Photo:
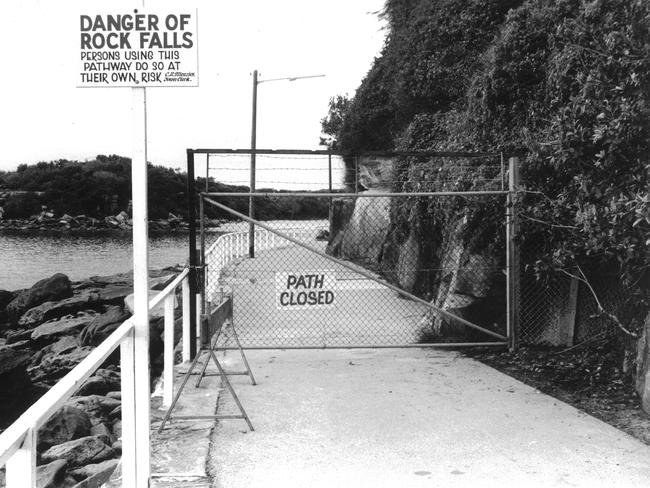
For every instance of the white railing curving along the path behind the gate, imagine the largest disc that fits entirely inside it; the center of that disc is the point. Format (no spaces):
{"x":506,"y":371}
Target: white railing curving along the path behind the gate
{"x":231,"y":246}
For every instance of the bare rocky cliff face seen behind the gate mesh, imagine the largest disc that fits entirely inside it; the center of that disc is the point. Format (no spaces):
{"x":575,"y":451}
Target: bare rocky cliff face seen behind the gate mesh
{"x":444,"y":265}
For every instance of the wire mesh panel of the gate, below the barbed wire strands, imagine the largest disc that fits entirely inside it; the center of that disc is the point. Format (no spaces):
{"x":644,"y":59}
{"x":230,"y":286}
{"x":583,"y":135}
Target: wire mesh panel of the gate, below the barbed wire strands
{"x":362,"y":280}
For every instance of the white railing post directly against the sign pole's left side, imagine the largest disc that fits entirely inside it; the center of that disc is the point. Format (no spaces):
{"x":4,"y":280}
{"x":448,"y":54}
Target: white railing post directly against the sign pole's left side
{"x":127,"y":370}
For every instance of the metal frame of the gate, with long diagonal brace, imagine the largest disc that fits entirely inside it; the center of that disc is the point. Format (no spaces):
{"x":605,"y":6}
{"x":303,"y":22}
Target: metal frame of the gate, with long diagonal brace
{"x":512,"y":258}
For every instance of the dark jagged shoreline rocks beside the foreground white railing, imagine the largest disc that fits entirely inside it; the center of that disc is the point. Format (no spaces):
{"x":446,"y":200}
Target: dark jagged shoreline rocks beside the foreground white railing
{"x":45,"y":331}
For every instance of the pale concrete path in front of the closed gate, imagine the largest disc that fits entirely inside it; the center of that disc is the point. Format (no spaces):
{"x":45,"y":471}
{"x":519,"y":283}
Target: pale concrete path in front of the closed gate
{"x":410,"y":418}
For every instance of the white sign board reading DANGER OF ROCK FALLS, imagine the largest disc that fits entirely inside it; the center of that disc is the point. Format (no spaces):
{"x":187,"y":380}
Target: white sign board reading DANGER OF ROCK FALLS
{"x":138,"y":49}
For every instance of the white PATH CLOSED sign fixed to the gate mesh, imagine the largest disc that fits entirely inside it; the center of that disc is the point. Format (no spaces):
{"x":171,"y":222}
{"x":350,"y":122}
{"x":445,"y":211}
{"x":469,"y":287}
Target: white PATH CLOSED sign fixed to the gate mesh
{"x":305,"y":290}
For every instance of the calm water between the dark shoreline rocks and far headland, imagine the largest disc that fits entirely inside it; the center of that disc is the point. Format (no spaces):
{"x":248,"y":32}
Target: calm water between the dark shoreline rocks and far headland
{"x":25,"y":259}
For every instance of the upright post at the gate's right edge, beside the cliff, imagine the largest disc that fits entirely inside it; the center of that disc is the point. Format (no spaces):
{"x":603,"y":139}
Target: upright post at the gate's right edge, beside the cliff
{"x":512,"y":255}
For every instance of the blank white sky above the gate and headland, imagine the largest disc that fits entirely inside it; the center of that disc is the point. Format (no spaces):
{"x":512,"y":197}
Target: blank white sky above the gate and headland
{"x":45,"y":117}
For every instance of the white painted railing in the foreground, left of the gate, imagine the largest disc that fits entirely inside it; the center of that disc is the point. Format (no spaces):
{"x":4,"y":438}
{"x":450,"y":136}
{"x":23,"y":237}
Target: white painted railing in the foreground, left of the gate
{"x":18,"y":442}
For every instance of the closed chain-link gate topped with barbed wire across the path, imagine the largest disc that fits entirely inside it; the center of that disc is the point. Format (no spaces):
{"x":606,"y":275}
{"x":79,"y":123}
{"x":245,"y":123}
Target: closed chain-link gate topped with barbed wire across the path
{"x":341,"y":269}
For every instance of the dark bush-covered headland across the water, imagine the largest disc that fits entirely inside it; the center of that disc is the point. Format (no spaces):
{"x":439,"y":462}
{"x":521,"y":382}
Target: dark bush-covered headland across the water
{"x":102,"y":187}
